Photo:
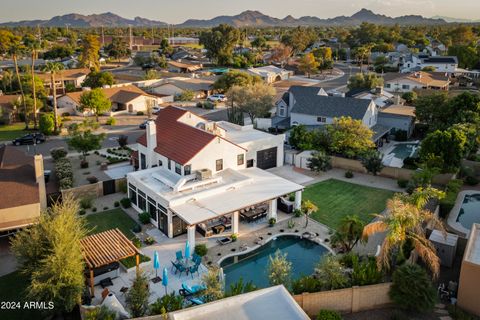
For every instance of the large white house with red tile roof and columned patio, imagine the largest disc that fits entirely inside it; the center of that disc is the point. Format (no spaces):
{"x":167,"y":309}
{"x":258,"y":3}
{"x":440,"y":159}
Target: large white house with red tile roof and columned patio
{"x":197,"y":175}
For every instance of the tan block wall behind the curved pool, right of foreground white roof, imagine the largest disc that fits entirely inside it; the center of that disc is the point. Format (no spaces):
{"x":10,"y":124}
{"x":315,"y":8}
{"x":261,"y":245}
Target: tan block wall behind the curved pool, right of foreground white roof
{"x":348,"y":300}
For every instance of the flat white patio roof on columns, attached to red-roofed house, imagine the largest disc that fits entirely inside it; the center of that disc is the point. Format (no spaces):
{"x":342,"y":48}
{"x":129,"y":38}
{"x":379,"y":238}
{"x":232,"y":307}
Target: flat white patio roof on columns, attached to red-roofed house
{"x":260,"y":186}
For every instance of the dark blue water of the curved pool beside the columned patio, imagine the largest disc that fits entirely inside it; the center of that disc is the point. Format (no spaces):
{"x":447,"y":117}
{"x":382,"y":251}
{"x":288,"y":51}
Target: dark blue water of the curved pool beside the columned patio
{"x":252,"y":266}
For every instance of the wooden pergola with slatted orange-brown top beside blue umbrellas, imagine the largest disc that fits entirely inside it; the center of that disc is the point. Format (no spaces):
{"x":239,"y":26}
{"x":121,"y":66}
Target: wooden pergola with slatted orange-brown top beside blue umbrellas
{"x":107,"y":247}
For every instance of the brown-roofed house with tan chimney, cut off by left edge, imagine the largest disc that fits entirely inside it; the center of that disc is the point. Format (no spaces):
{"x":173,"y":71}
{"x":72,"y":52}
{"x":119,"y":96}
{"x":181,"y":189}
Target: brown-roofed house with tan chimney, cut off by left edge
{"x":22,"y":186}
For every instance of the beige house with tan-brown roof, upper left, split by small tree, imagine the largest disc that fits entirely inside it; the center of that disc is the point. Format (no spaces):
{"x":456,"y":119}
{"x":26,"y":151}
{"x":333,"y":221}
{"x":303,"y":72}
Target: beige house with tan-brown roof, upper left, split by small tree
{"x":126,"y":99}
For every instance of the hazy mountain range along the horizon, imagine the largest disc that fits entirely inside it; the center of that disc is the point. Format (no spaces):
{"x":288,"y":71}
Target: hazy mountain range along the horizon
{"x":247,"y":18}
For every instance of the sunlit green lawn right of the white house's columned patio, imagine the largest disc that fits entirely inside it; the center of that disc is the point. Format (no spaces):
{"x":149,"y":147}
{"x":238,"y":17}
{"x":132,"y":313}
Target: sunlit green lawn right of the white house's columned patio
{"x":336,"y":199}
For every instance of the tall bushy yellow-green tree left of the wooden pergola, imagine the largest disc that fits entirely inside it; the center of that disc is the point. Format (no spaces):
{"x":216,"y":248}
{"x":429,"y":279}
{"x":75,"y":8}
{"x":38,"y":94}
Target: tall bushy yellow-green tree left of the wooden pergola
{"x":49,"y":253}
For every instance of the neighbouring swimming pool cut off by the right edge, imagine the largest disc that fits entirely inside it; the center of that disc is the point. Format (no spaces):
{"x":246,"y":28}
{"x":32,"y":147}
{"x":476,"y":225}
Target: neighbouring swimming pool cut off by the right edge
{"x":465,"y":212}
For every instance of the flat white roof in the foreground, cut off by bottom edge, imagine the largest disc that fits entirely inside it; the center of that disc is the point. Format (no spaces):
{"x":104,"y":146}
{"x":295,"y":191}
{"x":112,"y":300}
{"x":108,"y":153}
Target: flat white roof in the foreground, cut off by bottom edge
{"x":270,"y":303}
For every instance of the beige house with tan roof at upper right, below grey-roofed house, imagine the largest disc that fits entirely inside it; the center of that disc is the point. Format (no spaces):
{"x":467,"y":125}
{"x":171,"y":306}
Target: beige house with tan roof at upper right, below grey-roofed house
{"x":396,"y":82}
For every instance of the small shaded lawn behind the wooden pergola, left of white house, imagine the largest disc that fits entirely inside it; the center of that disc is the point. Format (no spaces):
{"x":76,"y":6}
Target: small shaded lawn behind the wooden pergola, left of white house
{"x":111,"y":219}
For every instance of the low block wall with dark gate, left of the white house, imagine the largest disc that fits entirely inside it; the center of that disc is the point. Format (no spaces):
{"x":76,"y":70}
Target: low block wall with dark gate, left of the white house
{"x":96,"y":190}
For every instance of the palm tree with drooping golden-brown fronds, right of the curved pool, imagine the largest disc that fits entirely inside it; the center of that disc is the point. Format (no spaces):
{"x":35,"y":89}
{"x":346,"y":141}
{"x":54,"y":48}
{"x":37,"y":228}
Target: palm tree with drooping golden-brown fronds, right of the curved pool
{"x":404,"y":223}
